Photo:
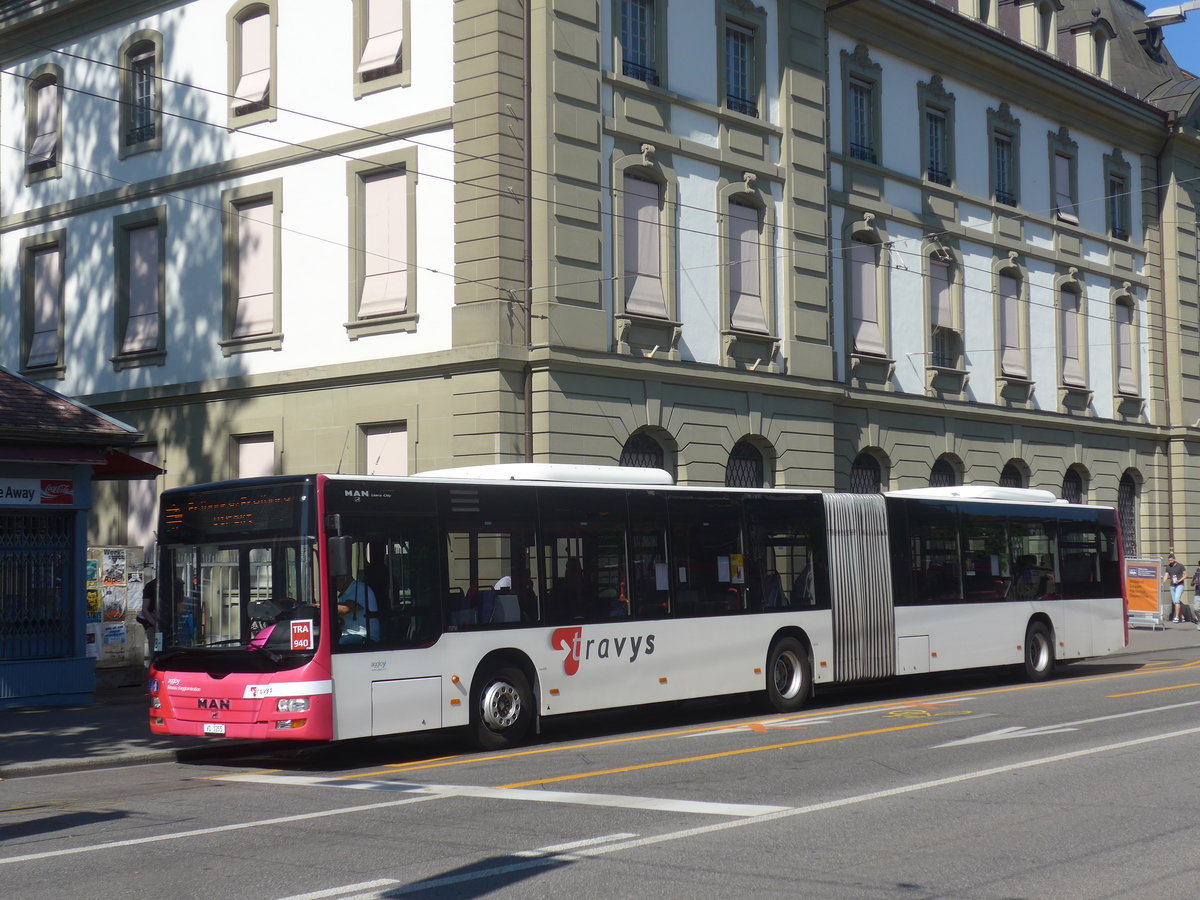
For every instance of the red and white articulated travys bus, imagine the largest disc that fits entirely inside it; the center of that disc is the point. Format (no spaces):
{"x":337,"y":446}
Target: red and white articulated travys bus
{"x":327,"y":608}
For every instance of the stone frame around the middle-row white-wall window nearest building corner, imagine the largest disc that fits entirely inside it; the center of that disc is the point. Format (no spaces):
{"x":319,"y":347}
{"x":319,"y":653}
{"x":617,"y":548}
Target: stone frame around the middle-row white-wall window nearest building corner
{"x":357,"y":173}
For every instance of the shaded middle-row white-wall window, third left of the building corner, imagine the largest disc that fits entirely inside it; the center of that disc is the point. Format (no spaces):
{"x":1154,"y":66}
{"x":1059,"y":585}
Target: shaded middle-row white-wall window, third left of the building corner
{"x":141,"y":280}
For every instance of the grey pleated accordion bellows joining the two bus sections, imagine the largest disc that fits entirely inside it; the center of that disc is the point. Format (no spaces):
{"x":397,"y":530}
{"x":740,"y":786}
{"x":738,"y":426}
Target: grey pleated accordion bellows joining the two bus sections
{"x":861,"y":587}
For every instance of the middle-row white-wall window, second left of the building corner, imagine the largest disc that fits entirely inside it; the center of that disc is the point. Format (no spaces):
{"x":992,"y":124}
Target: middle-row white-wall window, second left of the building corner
{"x":253,"y":262}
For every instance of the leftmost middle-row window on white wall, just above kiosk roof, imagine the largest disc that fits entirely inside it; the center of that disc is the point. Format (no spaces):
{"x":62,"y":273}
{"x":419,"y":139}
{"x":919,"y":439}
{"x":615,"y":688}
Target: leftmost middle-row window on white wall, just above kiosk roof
{"x":43,"y":302}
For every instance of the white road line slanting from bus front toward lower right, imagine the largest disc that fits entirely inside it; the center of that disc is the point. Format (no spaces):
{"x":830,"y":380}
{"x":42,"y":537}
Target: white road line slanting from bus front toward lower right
{"x":515,"y":794}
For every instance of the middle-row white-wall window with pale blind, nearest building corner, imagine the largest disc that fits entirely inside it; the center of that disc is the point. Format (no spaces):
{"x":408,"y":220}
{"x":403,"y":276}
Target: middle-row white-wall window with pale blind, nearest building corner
{"x":385,"y":249}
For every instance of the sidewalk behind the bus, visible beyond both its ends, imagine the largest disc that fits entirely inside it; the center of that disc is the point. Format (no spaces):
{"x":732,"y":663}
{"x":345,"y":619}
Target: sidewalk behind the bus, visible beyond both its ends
{"x":115,"y":730}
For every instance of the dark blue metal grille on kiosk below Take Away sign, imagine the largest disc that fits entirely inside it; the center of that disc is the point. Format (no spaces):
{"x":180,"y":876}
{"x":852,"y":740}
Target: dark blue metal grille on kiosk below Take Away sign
{"x":37,"y":619}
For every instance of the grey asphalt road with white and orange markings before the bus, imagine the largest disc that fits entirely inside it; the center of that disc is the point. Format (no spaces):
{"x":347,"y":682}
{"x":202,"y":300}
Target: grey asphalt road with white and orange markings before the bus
{"x":977,"y":787}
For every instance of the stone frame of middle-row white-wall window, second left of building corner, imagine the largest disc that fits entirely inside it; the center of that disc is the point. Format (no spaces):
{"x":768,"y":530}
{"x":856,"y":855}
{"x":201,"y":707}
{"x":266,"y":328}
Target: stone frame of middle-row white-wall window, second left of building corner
{"x":232,"y":201}
